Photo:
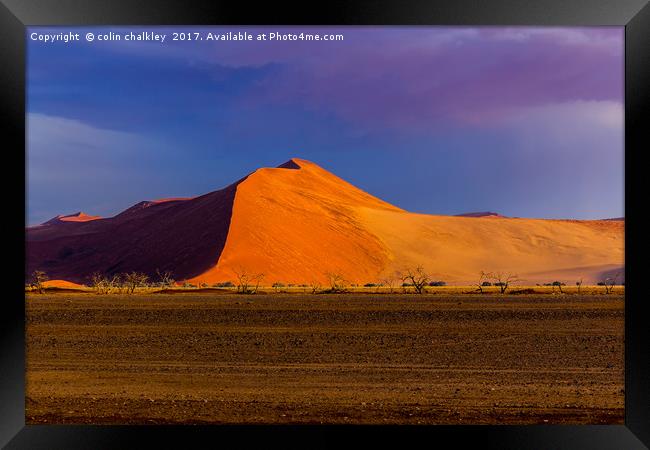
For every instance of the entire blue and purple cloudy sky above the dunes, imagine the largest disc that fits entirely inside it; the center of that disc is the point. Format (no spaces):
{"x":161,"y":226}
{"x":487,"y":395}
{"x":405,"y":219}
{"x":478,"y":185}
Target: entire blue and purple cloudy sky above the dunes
{"x":527,"y":122}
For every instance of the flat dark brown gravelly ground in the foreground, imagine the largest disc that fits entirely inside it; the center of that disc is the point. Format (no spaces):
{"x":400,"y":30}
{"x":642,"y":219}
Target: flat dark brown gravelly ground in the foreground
{"x":210,"y":358}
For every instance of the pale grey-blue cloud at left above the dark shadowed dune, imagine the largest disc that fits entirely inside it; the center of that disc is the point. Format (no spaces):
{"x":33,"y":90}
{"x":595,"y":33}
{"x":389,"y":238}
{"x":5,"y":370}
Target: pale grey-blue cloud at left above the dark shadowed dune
{"x":74,"y":166}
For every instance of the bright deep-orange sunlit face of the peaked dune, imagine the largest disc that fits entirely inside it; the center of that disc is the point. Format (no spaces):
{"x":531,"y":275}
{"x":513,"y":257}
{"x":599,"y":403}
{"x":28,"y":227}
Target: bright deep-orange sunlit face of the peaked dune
{"x":296,"y":224}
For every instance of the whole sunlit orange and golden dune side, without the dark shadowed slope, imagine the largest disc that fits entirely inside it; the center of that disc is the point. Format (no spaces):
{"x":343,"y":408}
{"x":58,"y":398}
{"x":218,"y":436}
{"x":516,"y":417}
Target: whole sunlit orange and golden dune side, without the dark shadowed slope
{"x":294,"y":226}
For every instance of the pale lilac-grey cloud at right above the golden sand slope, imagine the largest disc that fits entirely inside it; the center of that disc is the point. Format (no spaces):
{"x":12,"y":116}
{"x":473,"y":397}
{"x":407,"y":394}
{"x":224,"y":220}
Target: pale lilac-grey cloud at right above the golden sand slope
{"x":565,"y":157}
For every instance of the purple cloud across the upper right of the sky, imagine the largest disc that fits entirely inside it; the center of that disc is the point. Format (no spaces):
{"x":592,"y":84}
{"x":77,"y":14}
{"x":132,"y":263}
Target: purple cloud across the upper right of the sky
{"x":431,"y":79}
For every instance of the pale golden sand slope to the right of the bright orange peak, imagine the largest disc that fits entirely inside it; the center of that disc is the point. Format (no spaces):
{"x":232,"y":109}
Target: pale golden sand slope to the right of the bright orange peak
{"x":457,"y":249}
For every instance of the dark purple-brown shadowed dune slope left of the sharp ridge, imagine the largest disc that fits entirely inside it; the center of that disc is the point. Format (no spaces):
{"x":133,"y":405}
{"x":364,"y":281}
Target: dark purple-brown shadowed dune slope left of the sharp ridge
{"x":184,"y":236}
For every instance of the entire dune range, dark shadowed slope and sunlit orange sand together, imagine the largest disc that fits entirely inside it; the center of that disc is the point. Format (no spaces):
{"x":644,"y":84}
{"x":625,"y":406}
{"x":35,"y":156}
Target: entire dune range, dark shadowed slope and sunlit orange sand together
{"x":296,"y":222}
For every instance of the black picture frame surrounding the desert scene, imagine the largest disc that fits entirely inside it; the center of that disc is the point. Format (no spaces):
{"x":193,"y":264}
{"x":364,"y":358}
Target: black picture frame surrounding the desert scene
{"x":15,"y":15}
